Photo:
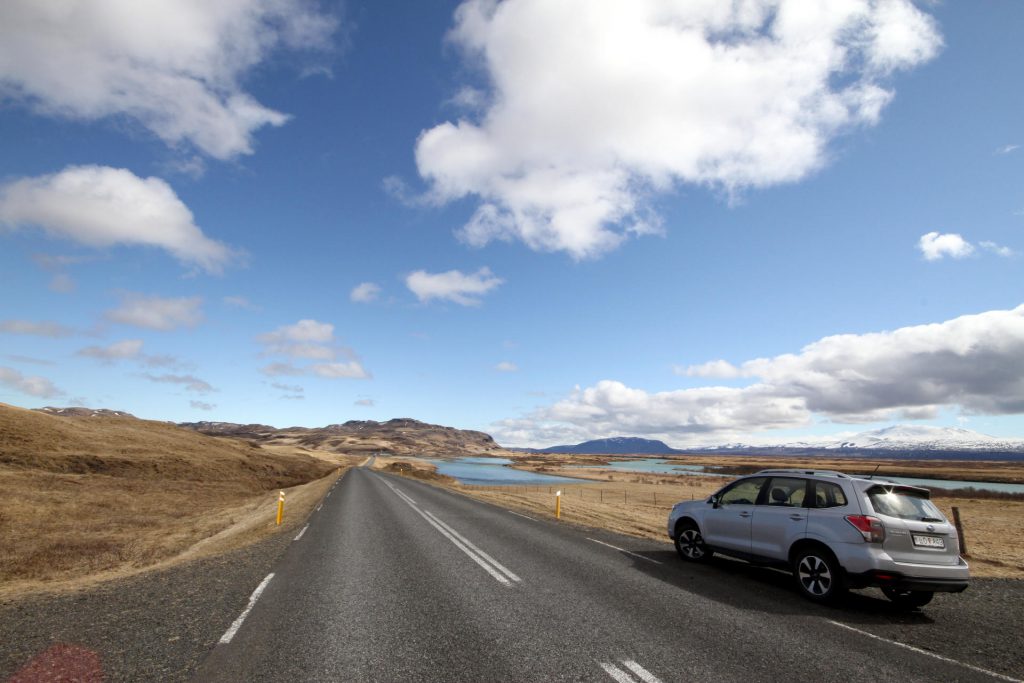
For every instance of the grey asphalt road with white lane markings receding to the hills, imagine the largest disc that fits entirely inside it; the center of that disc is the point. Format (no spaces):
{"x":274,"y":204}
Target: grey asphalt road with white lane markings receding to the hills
{"x":399,"y":581}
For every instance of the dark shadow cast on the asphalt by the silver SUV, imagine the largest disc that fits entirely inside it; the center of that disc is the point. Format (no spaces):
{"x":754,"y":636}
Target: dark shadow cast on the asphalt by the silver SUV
{"x":749,"y":587}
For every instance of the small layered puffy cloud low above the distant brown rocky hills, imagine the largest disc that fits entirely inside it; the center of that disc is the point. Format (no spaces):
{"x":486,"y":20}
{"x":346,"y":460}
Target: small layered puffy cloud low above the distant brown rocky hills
{"x":310,"y":340}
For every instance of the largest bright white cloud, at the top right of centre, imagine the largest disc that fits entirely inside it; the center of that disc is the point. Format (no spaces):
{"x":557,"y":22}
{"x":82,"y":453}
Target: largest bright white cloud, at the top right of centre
{"x":594,"y":107}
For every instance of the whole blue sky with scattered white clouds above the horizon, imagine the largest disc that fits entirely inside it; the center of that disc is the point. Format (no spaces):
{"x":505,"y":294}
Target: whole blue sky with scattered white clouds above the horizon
{"x":570,"y":220}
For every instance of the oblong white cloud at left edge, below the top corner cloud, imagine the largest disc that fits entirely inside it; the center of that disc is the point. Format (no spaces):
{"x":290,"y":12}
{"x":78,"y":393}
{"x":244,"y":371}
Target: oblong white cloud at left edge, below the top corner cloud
{"x":101,"y":206}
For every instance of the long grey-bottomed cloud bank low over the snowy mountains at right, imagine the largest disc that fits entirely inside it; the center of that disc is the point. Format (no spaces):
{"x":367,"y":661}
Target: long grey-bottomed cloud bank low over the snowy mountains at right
{"x":971,"y":364}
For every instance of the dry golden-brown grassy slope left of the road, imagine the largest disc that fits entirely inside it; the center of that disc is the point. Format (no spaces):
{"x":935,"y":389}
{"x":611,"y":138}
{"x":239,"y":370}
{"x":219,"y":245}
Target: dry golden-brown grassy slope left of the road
{"x":91,"y":499}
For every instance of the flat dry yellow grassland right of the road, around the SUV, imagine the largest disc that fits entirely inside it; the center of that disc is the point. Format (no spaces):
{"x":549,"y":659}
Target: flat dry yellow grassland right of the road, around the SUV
{"x":638,"y":504}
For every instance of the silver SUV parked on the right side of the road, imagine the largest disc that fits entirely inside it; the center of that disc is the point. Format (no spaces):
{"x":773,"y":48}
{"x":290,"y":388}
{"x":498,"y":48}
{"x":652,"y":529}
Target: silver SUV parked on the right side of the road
{"x":833,"y":531}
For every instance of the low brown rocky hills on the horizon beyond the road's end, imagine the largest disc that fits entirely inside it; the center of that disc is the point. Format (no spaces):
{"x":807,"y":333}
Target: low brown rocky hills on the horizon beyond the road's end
{"x":402,"y":437}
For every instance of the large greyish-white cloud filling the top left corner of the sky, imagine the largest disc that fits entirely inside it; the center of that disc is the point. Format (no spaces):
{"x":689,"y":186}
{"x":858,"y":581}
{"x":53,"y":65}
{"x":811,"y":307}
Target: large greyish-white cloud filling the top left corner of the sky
{"x":176,"y":67}
